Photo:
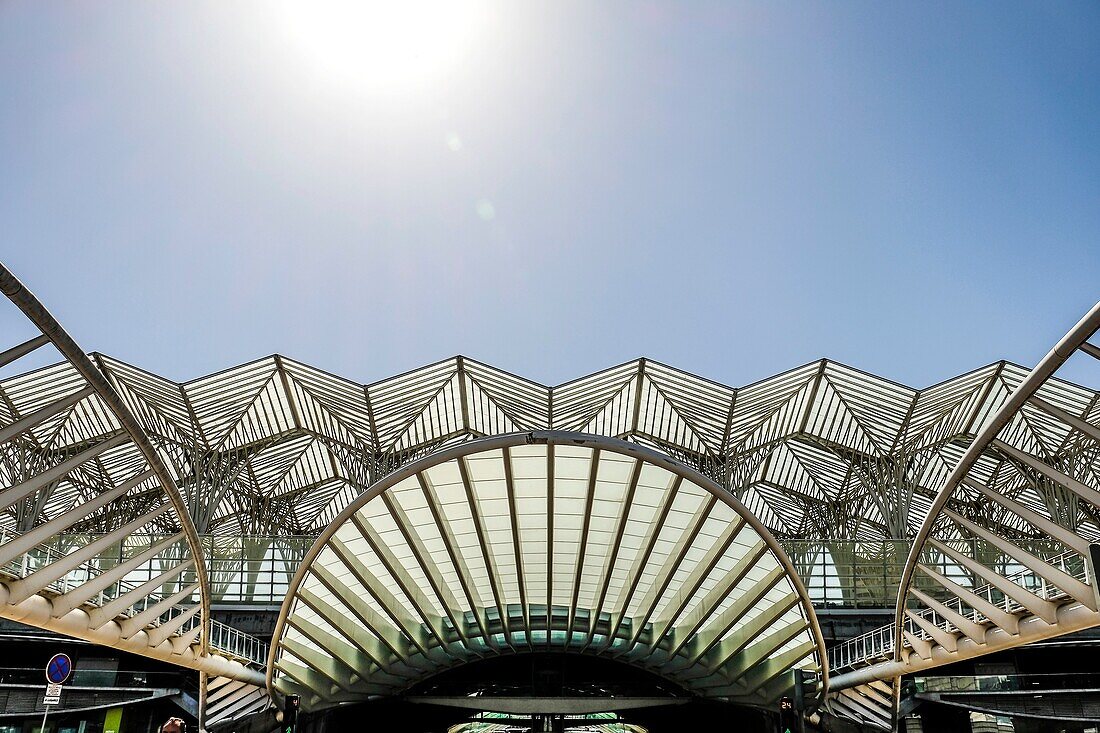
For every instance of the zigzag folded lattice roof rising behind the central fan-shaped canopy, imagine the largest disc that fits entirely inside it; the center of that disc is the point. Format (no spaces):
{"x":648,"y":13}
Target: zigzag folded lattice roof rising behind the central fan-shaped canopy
{"x":277,"y":447}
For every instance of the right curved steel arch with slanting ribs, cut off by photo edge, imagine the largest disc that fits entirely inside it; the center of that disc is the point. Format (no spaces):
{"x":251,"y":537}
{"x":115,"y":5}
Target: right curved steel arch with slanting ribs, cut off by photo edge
{"x":1004,"y":556}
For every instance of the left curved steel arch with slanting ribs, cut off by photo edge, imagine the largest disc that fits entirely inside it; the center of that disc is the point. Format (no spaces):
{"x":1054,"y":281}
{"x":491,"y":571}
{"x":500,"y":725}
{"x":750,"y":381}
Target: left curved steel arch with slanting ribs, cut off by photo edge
{"x":73,"y":457}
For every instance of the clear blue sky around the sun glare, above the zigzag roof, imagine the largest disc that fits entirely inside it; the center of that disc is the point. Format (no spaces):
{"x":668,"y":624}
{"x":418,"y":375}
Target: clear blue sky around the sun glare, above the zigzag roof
{"x":735,"y":190}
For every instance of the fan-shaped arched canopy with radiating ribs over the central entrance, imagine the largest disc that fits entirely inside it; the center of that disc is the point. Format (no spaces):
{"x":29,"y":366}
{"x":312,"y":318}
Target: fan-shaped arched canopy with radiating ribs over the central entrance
{"x":545,"y":541}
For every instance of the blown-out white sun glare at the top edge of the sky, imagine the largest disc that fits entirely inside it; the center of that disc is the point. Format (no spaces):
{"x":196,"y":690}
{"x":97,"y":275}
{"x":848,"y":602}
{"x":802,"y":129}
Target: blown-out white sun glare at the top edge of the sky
{"x":384,"y":46}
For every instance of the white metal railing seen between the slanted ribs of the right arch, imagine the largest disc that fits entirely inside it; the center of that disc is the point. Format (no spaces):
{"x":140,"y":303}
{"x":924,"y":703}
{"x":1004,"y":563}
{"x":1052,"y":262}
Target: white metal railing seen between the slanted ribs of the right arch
{"x":879,"y":644}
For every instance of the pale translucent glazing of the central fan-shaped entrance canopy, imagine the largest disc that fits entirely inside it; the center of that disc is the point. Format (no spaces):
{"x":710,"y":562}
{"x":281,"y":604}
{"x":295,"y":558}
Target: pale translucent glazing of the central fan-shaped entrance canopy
{"x":646,"y":539}
